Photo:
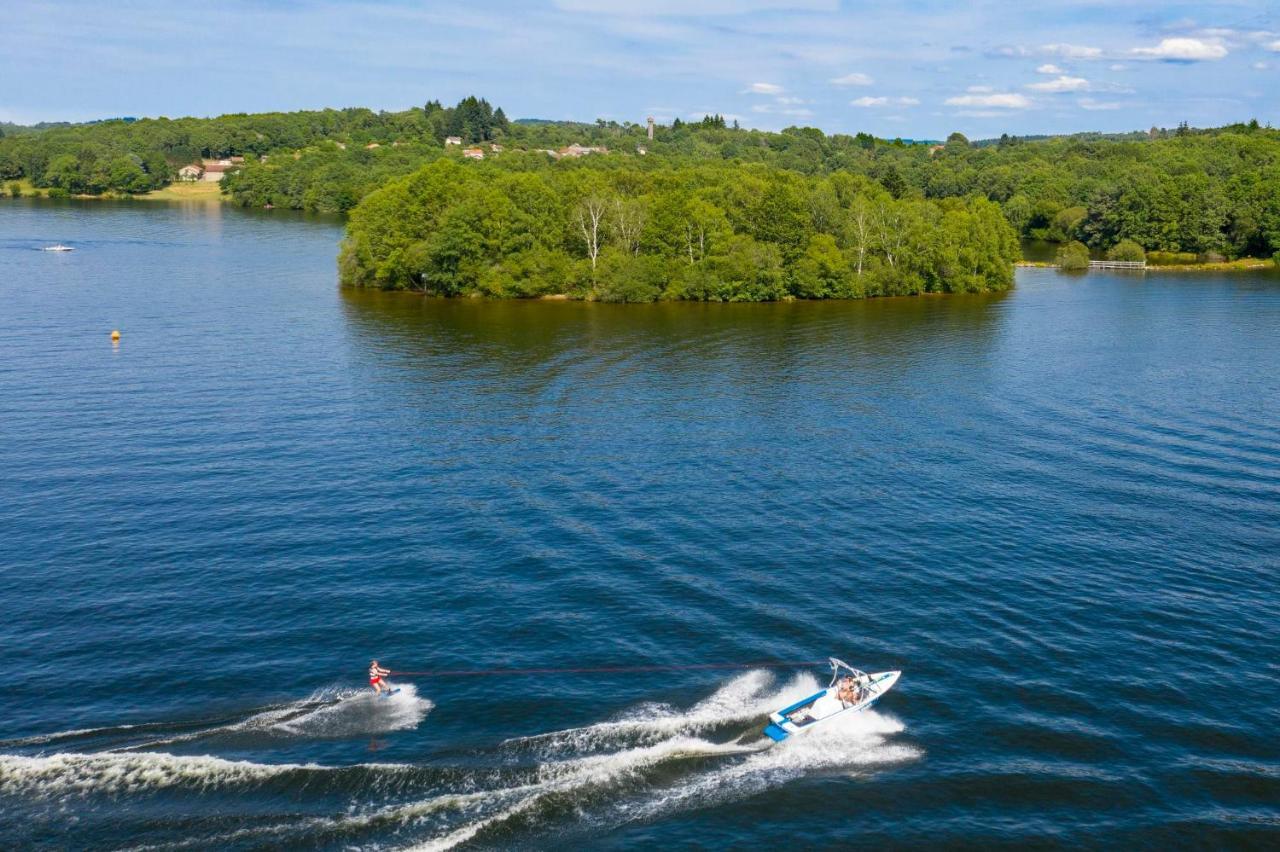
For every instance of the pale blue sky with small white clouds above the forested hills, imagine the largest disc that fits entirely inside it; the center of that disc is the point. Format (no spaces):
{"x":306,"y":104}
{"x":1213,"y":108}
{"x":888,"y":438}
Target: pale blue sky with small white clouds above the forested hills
{"x":917,"y":70}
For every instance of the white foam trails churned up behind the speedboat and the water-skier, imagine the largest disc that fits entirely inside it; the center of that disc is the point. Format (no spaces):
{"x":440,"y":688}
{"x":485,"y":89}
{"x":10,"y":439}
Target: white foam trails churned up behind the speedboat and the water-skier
{"x":605,"y":771}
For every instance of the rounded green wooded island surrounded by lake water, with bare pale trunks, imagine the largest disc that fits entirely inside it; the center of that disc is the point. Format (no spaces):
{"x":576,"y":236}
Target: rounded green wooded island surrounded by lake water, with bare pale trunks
{"x":721,"y":232}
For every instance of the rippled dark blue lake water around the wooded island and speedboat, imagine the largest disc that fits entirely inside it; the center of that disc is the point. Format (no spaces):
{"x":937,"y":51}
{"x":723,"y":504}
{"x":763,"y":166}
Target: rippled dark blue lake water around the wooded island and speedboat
{"x":1057,"y":511}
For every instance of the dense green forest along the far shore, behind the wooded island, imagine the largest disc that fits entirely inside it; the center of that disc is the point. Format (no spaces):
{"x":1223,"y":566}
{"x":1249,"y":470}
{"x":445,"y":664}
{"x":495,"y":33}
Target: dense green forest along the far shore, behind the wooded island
{"x":1201,"y":194}
